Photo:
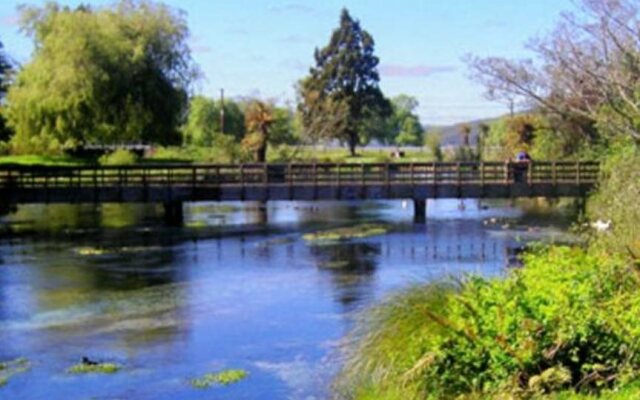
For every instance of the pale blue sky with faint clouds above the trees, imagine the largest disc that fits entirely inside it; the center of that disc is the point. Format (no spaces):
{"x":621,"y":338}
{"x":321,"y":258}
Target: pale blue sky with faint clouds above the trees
{"x":263,"y":47}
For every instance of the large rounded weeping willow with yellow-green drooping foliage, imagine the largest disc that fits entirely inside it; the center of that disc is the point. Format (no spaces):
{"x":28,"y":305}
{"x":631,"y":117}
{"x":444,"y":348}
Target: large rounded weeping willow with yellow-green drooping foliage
{"x":100,"y":75}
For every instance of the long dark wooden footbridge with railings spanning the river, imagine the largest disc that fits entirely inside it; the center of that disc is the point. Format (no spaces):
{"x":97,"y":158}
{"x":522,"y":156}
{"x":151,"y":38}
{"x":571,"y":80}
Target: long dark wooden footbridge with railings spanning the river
{"x":172,"y":185}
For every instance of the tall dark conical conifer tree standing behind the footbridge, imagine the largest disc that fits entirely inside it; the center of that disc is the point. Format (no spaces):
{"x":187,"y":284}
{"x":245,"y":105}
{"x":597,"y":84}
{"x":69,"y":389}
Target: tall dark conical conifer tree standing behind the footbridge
{"x":341,"y":92}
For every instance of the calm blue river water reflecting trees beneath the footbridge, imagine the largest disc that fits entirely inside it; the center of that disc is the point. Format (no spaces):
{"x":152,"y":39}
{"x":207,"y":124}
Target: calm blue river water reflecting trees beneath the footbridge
{"x":237,"y":287}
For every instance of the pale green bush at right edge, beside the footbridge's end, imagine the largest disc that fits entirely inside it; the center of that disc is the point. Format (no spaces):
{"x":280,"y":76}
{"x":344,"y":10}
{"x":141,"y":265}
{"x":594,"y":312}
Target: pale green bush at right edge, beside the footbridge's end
{"x":617,"y":200}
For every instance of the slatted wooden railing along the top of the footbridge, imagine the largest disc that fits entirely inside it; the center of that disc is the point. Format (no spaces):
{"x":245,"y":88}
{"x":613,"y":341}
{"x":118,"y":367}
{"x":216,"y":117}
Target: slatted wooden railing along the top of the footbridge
{"x":214,"y":175}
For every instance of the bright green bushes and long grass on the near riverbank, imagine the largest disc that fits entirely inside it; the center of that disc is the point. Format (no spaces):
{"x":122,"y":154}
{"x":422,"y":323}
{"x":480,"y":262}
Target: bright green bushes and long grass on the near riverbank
{"x":568,"y":321}
